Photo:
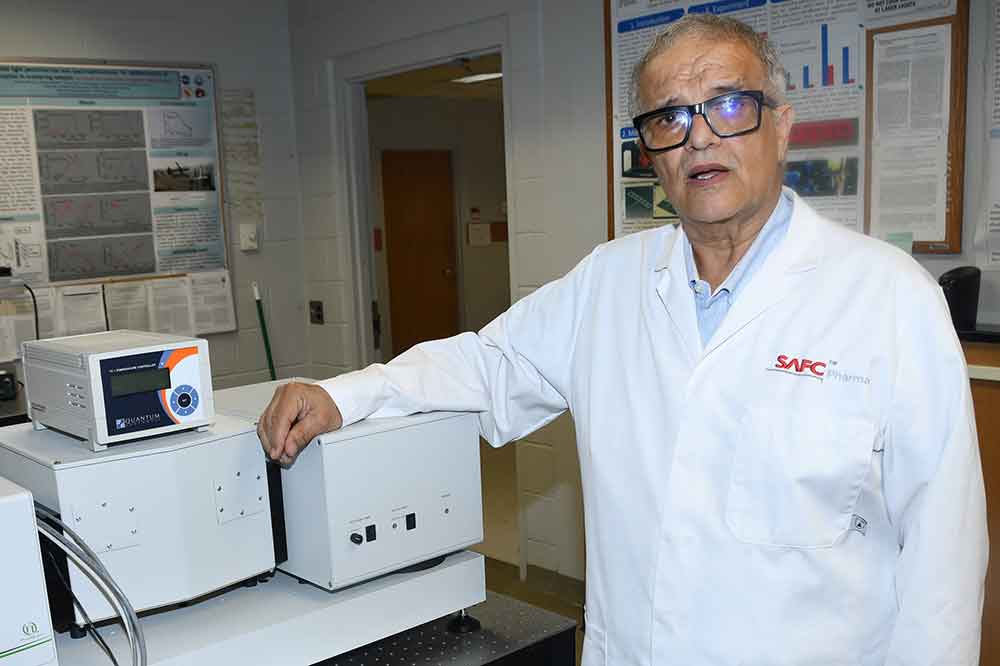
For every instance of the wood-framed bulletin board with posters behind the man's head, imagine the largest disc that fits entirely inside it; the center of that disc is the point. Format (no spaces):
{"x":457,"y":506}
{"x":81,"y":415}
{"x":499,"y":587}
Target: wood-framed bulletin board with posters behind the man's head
{"x":824,"y":46}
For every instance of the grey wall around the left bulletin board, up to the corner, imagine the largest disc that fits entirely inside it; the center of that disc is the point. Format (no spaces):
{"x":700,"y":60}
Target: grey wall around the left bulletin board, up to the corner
{"x":253,"y":53}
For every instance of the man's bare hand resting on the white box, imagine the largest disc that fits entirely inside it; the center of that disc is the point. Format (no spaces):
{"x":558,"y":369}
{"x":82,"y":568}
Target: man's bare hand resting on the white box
{"x":297,"y":413}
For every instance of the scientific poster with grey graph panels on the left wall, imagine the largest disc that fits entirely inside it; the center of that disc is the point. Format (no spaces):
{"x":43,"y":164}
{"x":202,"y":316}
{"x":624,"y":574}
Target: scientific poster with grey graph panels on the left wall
{"x":99,"y":167}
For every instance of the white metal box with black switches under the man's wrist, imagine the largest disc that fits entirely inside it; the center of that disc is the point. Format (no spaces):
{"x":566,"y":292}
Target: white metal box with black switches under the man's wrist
{"x":376,"y":496}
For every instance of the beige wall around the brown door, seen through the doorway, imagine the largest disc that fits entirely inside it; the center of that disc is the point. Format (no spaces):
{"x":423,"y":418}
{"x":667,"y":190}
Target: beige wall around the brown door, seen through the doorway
{"x":473,"y":131}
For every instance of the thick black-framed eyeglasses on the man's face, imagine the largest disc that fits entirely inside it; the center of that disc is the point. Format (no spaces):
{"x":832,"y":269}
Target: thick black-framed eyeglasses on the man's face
{"x":727,"y":115}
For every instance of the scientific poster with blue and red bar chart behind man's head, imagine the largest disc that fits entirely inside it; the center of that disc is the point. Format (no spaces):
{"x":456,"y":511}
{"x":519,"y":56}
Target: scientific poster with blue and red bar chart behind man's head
{"x":821,"y":44}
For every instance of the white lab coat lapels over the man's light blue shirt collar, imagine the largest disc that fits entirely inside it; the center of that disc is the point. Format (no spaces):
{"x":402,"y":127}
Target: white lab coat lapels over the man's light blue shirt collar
{"x":798,"y":253}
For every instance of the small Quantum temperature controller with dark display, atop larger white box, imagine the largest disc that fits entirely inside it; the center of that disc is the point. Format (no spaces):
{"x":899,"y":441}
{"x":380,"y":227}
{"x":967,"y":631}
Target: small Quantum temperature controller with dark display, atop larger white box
{"x":116,"y":386}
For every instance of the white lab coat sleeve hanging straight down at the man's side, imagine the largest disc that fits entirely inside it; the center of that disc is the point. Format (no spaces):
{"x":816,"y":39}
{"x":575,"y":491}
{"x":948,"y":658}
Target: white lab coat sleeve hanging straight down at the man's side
{"x":934,"y":488}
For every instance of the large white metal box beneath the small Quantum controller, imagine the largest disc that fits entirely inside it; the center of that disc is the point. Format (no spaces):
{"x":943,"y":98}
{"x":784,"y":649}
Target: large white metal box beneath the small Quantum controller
{"x":172,"y":518}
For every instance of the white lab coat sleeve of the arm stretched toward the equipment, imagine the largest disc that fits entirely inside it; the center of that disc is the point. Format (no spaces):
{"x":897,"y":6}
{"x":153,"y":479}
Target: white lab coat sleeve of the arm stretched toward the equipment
{"x":514,"y":372}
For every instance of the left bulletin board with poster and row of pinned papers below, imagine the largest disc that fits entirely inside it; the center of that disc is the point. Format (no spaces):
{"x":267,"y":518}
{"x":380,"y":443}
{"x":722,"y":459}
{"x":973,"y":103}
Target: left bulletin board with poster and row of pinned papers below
{"x":112,"y":205}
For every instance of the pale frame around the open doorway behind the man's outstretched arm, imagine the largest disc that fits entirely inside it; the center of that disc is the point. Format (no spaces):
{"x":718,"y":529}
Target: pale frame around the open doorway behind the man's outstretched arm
{"x":352,"y":173}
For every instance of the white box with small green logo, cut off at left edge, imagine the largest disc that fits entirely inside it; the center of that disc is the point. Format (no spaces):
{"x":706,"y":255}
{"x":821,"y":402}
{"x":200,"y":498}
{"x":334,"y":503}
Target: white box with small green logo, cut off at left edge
{"x":26,"y":637}
